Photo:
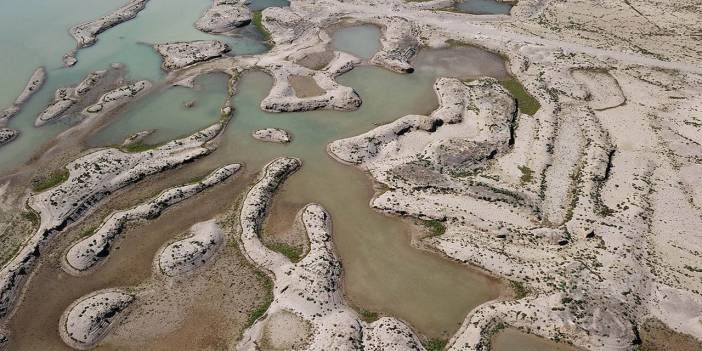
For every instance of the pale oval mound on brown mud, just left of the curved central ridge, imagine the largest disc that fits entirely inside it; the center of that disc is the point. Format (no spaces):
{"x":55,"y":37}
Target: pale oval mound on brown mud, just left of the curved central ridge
{"x":186,"y":255}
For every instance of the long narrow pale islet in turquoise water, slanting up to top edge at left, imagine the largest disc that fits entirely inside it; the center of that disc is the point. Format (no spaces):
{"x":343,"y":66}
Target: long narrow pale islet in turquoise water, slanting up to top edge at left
{"x":86,"y":33}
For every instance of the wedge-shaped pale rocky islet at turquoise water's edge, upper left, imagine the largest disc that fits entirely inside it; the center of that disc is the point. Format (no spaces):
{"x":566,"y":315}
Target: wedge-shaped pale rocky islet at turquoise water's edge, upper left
{"x":182,"y":54}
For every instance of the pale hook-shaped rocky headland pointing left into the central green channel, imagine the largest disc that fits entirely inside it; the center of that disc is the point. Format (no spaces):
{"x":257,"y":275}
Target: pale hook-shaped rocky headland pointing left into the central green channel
{"x":472,"y":125}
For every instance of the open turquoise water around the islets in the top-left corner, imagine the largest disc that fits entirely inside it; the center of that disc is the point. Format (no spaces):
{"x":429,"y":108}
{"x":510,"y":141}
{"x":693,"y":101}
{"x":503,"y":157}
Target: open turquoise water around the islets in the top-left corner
{"x":37,"y":31}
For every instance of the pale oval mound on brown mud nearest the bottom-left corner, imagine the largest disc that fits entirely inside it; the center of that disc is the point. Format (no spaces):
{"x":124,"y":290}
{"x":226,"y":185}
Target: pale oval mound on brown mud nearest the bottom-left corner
{"x":86,"y":321}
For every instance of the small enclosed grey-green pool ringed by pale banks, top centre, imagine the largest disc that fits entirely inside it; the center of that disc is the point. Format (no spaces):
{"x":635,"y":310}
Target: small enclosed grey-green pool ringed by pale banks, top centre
{"x":361,"y":41}
